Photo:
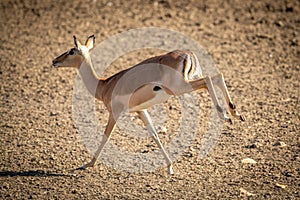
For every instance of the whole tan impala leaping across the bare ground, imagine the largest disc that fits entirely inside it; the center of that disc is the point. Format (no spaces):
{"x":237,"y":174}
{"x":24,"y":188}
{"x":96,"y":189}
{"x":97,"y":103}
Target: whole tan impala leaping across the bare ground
{"x":173,"y":73}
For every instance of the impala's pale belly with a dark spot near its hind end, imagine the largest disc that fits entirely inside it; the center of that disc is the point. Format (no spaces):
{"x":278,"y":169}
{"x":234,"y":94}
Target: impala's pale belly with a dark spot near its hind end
{"x":147,"y":96}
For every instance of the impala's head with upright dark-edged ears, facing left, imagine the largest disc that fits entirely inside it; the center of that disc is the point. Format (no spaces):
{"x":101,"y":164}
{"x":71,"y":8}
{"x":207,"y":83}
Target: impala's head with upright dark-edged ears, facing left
{"x":75,"y":56}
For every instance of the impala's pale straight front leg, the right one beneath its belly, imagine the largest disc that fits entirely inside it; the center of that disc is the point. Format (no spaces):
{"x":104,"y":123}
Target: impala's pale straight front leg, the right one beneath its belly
{"x":144,"y":115}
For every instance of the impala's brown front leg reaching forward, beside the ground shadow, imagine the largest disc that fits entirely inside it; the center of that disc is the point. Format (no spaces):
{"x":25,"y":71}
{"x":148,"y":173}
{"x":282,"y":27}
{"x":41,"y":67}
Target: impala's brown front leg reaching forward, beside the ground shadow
{"x":109,"y":128}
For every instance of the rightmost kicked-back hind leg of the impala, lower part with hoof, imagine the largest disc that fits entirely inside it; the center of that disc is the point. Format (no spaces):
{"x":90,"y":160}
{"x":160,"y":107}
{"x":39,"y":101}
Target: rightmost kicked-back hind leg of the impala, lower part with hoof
{"x":220,"y":82}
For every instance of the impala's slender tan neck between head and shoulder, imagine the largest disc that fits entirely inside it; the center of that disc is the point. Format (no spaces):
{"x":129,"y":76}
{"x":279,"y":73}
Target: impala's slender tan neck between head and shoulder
{"x":91,"y":81}
